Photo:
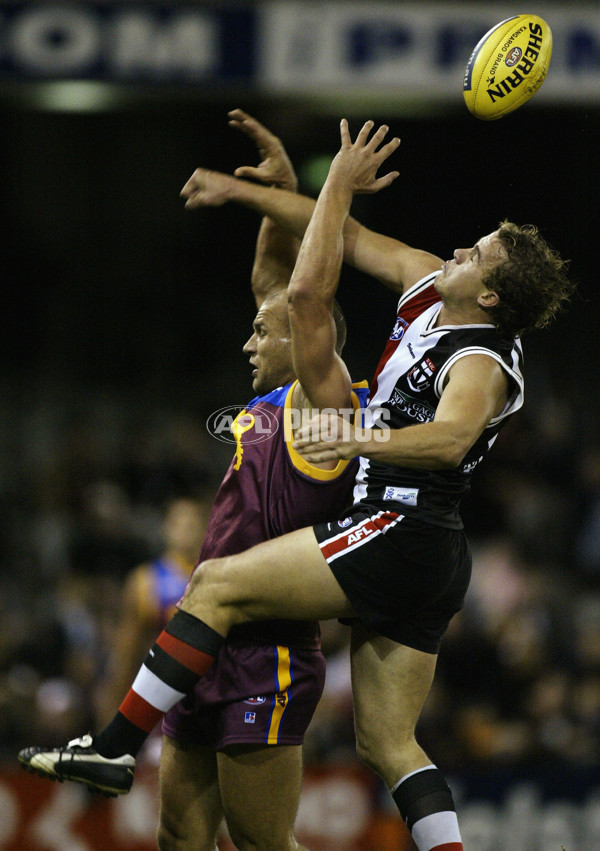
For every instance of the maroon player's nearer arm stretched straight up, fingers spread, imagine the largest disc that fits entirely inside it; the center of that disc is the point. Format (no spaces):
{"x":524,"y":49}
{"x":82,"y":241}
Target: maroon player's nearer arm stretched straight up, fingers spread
{"x":319,"y":368}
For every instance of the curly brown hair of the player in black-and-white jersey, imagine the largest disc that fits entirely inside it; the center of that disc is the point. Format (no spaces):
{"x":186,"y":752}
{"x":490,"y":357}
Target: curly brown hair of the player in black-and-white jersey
{"x":532,"y":284}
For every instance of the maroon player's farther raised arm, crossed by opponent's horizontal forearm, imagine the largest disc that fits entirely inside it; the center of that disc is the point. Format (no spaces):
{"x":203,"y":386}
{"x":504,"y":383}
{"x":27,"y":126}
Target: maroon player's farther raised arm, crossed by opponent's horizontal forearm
{"x":276,"y":247}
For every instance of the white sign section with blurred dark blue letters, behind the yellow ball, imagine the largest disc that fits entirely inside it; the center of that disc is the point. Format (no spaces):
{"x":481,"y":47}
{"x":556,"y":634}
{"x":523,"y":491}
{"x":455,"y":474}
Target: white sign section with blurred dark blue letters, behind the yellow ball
{"x":411,"y":50}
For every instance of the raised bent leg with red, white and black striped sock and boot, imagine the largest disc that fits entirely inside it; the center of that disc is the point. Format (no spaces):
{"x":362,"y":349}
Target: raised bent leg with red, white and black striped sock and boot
{"x":284,"y":578}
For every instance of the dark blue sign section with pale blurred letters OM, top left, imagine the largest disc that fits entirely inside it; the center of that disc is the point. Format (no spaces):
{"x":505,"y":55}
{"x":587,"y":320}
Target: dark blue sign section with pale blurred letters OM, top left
{"x":126,"y":42}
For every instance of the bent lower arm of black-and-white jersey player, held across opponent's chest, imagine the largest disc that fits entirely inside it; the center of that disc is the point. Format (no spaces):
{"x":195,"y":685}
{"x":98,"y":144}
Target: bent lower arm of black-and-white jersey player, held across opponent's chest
{"x":476,"y":391}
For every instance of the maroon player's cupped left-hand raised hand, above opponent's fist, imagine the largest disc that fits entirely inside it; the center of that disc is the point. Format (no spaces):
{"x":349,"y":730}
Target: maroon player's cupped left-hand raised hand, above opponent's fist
{"x":275,"y":167}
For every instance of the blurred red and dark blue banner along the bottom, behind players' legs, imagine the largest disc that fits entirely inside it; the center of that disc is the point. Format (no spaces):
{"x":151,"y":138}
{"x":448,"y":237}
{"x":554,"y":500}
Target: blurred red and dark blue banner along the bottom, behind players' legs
{"x":341,"y":807}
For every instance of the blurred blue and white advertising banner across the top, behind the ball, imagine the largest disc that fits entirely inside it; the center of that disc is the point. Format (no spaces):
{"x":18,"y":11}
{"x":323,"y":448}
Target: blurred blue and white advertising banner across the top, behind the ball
{"x":285,"y":47}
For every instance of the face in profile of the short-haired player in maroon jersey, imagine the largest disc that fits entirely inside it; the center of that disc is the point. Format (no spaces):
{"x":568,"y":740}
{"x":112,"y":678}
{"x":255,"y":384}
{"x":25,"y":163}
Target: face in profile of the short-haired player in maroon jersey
{"x":270,"y":347}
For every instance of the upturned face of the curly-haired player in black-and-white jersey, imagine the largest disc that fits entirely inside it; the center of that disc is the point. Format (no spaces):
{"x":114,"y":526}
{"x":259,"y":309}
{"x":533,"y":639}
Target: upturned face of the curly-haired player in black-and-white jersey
{"x":461,"y":278}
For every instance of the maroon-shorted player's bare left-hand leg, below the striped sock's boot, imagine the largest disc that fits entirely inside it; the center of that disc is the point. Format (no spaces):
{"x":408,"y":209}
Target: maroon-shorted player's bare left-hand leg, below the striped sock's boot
{"x":190,"y":801}
